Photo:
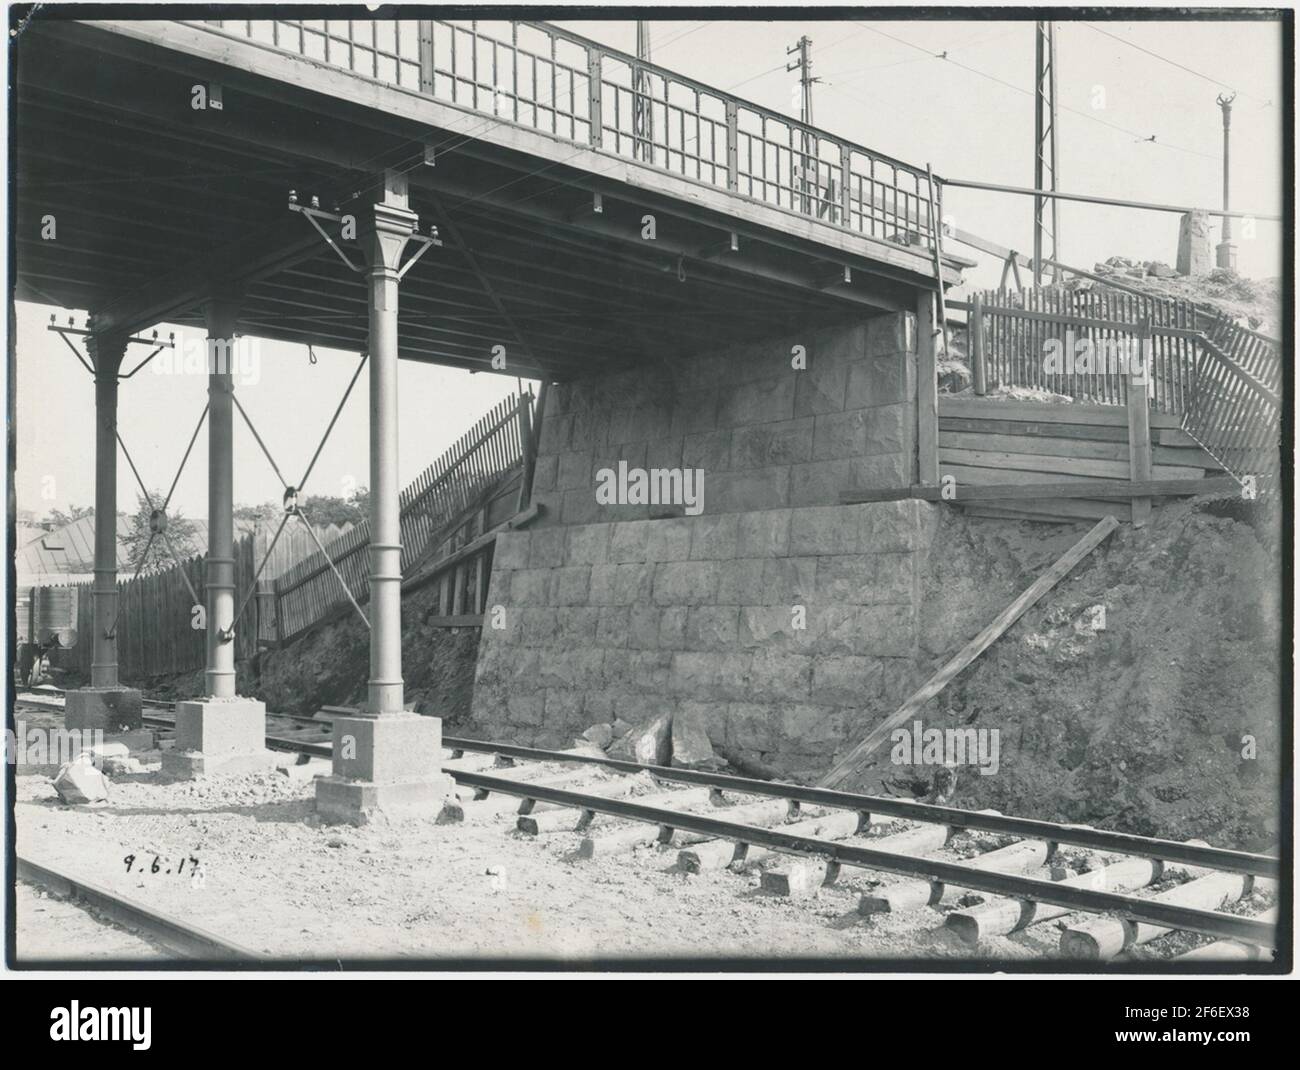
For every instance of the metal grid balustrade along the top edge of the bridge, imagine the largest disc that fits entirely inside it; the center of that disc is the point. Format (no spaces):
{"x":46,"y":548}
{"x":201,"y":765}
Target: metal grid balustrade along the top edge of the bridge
{"x":545,"y":79}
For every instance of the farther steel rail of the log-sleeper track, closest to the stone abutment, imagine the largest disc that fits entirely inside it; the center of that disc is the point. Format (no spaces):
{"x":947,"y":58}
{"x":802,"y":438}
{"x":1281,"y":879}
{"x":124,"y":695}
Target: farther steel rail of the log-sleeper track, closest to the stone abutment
{"x":1073,"y":835}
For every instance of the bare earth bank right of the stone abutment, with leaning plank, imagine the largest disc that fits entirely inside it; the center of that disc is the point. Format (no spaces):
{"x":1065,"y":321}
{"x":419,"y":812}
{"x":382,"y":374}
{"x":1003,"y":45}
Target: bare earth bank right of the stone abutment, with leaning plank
{"x":1142,"y":694}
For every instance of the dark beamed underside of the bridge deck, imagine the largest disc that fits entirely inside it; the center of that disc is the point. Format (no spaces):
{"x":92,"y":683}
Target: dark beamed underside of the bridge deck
{"x":184,"y":200}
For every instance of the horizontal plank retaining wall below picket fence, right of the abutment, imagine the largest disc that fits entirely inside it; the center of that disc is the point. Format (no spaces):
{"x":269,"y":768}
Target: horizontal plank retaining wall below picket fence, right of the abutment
{"x":986,"y":441}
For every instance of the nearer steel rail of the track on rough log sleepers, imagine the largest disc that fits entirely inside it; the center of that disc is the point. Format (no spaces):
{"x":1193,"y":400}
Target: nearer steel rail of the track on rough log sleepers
{"x":1150,"y":912}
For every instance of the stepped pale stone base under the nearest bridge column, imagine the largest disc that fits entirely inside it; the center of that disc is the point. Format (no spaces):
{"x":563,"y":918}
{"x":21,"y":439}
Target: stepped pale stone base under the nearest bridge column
{"x":388,"y":769}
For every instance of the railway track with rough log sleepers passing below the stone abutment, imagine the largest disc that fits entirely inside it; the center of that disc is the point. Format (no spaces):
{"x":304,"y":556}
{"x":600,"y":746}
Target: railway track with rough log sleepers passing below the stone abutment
{"x":808,"y":839}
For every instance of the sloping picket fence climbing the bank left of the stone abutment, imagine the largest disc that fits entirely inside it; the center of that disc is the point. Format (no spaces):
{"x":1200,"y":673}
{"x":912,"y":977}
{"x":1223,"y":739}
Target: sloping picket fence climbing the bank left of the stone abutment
{"x":489,"y":454}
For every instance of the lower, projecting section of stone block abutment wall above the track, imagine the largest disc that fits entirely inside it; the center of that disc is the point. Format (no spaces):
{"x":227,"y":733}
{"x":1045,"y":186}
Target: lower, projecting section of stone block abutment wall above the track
{"x":697,"y":614}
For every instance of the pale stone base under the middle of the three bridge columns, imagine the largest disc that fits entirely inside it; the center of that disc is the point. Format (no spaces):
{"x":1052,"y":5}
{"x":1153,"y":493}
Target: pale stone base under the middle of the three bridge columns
{"x":219,"y":738}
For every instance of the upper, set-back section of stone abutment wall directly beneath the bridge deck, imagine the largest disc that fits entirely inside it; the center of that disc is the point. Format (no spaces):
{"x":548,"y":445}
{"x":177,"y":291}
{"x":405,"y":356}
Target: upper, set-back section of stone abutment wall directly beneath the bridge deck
{"x":766,"y":435}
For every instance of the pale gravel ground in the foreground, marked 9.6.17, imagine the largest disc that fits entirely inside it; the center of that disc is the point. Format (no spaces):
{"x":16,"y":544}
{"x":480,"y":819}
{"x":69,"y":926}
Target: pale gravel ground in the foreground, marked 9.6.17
{"x":279,"y":883}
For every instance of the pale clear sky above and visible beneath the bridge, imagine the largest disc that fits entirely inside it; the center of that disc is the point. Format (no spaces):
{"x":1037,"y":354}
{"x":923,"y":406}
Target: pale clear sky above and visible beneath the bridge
{"x":883,"y":88}
